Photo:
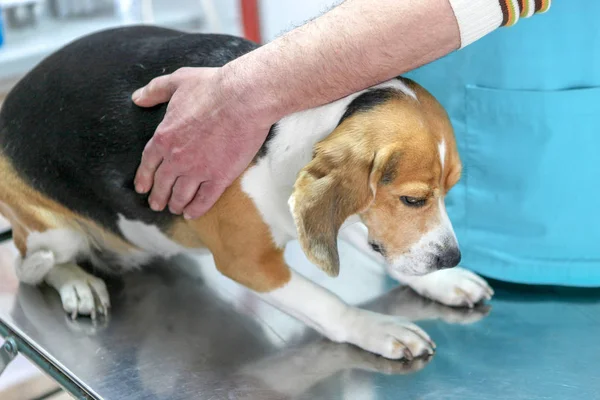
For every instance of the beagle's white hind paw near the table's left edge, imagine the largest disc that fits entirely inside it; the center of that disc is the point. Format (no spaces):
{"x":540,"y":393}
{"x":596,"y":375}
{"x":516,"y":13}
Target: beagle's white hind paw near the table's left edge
{"x":80,"y":292}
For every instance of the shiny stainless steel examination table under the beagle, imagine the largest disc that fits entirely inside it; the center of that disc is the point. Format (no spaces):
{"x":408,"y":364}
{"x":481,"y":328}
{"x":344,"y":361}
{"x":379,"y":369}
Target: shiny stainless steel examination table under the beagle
{"x":181,"y":331}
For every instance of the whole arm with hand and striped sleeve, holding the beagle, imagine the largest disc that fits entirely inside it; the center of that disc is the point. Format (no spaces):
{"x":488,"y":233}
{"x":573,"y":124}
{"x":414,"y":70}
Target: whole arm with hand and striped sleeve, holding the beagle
{"x":203,"y":145}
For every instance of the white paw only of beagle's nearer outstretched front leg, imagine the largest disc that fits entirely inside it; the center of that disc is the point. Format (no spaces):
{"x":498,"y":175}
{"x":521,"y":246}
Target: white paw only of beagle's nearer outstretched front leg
{"x":390,"y":337}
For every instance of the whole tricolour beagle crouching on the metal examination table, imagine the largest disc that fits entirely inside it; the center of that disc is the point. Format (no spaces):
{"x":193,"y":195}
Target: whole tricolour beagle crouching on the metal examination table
{"x":374,"y":166}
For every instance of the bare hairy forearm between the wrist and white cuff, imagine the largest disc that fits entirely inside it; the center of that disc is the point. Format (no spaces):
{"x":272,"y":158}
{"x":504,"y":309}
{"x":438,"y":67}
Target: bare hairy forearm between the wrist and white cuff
{"x":355,"y":45}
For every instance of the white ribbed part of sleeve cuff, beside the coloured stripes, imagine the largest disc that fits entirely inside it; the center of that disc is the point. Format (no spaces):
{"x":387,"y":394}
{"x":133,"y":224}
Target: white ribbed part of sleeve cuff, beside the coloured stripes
{"x":476,"y":18}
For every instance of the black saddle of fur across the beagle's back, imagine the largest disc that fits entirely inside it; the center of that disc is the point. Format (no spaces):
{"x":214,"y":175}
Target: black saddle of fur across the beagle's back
{"x":72,"y":132}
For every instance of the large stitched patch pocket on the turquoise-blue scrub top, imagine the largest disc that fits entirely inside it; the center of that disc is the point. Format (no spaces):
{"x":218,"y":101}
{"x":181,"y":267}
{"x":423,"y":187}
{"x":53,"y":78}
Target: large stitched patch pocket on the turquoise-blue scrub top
{"x":532,"y":180}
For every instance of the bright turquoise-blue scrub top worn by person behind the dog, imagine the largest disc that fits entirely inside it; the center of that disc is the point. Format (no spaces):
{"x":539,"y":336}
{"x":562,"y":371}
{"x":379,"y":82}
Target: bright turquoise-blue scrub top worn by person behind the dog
{"x":525,"y":105}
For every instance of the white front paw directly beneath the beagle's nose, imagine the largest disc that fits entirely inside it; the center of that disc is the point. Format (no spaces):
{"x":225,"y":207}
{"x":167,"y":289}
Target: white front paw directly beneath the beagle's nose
{"x":455,"y":287}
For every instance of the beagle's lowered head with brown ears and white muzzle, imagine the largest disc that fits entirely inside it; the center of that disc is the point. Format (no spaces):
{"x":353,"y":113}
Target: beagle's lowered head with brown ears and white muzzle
{"x":391,"y":161}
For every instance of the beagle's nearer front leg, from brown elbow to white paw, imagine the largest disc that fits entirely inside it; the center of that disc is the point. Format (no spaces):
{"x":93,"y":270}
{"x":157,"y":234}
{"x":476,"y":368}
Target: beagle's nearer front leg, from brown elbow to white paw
{"x":266,"y":273}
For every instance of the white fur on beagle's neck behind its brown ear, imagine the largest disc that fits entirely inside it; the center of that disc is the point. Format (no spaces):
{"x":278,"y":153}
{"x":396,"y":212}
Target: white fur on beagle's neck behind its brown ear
{"x":271,"y":181}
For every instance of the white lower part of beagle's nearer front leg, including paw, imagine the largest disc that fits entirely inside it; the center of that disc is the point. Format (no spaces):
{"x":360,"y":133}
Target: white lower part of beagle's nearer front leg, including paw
{"x":391,"y":337}
